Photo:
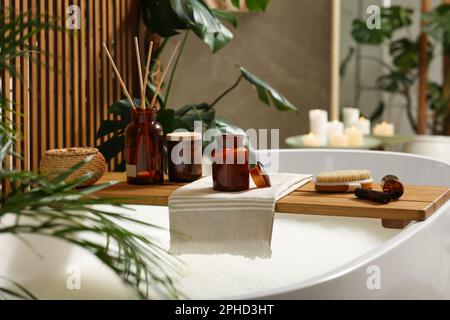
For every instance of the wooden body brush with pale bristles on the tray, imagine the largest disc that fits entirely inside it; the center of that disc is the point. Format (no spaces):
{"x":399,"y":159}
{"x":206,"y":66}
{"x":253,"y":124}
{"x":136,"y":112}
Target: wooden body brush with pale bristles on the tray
{"x":344,"y":181}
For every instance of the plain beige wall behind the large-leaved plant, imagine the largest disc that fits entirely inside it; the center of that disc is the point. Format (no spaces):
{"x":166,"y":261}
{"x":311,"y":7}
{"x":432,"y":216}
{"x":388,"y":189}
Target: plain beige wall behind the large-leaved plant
{"x":288,"y":46}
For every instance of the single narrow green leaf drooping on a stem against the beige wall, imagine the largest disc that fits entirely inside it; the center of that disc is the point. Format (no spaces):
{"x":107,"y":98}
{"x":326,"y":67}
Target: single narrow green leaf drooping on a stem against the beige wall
{"x":267,"y":94}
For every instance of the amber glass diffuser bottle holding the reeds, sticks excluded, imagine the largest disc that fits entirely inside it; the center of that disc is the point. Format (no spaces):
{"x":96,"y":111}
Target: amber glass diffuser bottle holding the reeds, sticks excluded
{"x":144,"y":141}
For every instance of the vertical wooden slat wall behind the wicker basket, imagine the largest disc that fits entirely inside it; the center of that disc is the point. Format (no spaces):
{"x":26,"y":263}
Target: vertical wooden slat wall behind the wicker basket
{"x":63,"y":93}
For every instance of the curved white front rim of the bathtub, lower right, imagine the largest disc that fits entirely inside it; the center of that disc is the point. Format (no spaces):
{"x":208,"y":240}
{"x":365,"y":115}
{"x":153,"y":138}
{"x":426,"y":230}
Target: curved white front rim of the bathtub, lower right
{"x":352,"y":265}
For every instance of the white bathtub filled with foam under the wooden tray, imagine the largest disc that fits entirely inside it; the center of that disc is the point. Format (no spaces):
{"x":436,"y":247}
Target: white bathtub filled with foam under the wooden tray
{"x":314,"y":257}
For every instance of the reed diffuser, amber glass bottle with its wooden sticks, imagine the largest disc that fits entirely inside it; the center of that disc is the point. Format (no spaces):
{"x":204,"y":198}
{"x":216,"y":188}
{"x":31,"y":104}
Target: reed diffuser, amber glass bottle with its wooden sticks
{"x":144,"y":136}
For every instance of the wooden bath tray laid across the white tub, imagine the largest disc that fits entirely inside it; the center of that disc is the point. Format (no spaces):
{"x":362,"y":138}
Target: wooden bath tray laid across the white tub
{"x":417,"y":204}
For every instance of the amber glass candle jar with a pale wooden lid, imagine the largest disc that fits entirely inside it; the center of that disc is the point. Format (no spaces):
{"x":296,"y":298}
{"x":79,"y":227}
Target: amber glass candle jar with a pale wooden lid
{"x":185,"y":156}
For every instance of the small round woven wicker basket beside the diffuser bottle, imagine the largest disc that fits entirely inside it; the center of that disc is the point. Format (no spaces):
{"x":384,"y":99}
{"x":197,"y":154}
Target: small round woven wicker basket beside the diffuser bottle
{"x":55,"y":162}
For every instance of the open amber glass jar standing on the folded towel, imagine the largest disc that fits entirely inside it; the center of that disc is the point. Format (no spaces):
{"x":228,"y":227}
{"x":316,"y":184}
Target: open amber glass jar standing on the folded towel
{"x":231,"y":164}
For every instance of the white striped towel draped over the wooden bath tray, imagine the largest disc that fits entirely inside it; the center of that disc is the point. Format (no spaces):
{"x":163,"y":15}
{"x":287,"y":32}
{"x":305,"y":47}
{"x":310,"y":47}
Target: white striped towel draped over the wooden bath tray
{"x":205,"y":221}
